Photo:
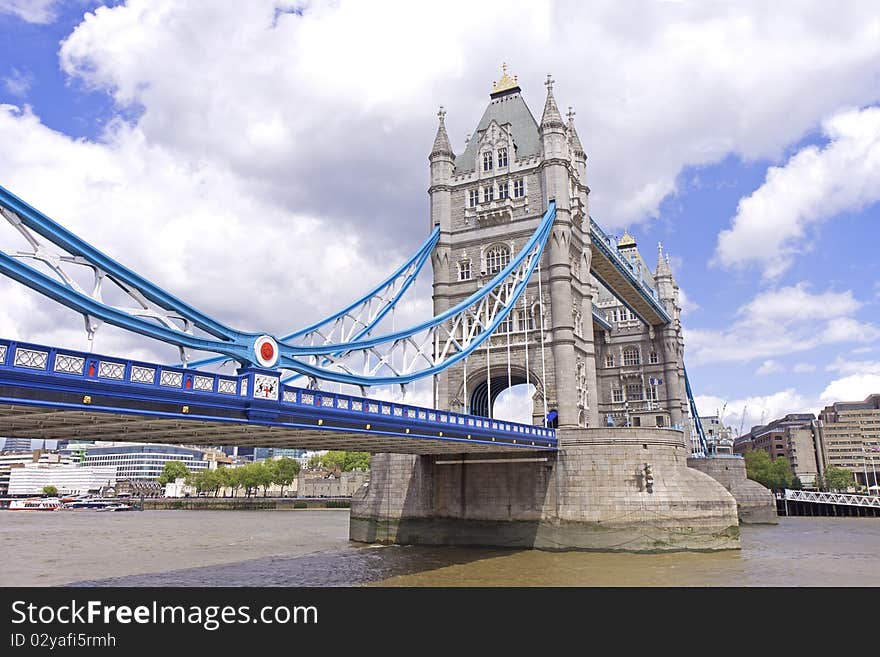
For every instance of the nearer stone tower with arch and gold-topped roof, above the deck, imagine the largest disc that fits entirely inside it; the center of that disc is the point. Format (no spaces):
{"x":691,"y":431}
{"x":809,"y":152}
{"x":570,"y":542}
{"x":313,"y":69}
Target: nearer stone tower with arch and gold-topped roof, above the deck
{"x":488,"y":201}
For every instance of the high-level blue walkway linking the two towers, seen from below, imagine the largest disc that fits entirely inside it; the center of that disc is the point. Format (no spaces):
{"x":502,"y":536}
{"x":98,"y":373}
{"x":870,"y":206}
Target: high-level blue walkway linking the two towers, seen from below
{"x":615,"y":273}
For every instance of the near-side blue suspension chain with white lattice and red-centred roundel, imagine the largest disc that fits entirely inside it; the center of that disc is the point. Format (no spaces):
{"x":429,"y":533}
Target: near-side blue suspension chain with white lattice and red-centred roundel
{"x":426,"y":349}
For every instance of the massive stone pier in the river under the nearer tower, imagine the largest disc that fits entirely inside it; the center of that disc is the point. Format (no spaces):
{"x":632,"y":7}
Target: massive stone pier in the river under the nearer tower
{"x":606,"y":489}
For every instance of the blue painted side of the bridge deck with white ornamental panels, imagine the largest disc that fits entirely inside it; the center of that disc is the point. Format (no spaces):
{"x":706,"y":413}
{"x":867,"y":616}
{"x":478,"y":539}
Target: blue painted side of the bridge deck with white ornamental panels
{"x":46,"y":376}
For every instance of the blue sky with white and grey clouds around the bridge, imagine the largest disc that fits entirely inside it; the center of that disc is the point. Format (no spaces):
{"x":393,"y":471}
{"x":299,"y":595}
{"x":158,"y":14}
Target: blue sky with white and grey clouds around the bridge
{"x":746,"y":139}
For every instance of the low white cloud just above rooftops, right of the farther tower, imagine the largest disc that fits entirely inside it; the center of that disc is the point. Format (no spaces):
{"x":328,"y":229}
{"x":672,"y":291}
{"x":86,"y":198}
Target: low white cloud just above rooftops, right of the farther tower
{"x":750,"y":411}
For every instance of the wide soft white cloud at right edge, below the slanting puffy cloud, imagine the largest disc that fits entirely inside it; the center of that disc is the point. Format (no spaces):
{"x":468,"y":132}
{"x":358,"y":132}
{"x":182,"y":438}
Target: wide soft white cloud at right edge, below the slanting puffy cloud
{"x":782,"y":321}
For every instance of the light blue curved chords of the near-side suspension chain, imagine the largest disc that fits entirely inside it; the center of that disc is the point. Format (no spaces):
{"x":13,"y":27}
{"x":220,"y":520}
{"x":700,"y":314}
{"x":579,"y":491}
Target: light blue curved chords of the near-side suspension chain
{"x":239,"y":345}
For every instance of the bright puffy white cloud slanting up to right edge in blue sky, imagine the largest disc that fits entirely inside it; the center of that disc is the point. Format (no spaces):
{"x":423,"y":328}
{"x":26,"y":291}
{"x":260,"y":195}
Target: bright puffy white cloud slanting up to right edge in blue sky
{"x":815,"y":185}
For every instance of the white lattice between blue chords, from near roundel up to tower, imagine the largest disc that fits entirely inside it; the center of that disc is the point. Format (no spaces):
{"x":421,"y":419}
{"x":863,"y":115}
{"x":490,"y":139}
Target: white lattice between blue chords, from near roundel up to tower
{"x":438,"y":343}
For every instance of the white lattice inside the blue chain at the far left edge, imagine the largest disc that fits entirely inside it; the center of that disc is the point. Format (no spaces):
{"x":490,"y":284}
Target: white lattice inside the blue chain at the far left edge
{"x":60,"y":264}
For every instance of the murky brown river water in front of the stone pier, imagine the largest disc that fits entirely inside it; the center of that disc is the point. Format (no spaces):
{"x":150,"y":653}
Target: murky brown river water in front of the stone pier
{"x":311,"y":548}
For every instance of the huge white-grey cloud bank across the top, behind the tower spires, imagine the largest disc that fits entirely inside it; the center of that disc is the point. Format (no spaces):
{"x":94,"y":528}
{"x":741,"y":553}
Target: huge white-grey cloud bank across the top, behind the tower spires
{"x":364,"y":79}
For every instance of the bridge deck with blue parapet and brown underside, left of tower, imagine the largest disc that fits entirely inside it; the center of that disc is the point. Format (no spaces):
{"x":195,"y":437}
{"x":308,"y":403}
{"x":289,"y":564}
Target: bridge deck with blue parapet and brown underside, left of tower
{"x":62,"y":394}
